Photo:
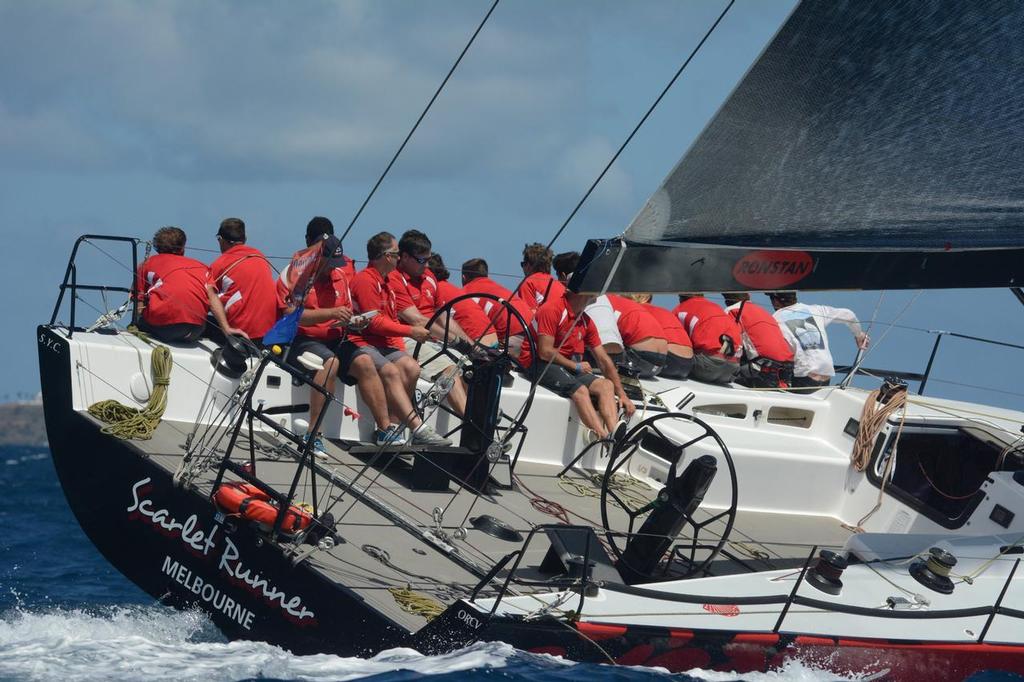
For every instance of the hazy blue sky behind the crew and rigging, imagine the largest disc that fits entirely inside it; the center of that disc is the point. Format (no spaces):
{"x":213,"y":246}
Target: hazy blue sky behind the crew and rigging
{"x":118,"y":118}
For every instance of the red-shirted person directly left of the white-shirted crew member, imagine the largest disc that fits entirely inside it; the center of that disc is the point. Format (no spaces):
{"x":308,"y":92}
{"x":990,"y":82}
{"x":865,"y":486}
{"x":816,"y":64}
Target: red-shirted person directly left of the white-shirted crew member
{"x":767,"y":361}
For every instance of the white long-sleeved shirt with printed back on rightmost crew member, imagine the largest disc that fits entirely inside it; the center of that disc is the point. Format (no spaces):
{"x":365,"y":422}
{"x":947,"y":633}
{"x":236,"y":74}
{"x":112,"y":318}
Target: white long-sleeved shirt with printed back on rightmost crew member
{"x":804,"y":328}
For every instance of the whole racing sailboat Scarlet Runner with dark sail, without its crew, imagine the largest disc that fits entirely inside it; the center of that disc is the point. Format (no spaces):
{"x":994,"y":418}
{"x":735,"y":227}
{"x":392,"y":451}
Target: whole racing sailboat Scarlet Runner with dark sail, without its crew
{"x":872,"y":146}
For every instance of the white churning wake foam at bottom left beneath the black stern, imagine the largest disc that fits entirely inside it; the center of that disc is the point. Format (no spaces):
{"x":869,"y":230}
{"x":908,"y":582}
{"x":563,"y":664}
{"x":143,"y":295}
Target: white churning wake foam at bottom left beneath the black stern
{"x":156,"y":644}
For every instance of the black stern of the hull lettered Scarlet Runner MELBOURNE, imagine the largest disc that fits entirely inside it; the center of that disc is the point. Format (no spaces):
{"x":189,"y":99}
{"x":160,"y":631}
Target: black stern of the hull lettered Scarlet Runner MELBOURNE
{"x":167,"y":540}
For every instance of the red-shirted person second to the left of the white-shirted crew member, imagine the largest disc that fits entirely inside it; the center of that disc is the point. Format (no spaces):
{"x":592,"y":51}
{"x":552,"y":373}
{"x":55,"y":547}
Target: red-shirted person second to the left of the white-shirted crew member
{"x":716,"y":338}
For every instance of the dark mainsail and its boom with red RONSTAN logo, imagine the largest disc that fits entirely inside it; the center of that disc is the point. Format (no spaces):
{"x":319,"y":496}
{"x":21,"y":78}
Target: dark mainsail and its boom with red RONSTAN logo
{"x":875,"y":144}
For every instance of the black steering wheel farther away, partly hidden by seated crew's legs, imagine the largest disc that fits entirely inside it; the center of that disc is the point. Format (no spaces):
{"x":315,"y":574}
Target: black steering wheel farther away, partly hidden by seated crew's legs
{"x":431,"y":400}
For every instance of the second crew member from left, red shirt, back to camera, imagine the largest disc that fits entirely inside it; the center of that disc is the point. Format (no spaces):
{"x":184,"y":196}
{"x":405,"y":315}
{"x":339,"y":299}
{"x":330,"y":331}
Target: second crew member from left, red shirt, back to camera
{"x":240,"y":285}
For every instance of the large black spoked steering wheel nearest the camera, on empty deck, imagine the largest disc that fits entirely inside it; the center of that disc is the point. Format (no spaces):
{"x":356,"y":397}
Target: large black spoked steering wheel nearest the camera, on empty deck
{"x":624,"y":450}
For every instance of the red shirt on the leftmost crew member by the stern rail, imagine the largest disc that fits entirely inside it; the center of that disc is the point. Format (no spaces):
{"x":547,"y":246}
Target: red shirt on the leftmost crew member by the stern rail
{"x":175,"y":290}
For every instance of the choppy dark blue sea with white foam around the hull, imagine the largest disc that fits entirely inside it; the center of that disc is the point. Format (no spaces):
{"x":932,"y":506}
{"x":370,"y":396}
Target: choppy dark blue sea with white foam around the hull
{"x":67,"y":615}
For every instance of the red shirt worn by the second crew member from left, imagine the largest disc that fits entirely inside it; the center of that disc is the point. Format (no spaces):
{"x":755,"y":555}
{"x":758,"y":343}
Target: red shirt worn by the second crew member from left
{"x":244,"y":283}
